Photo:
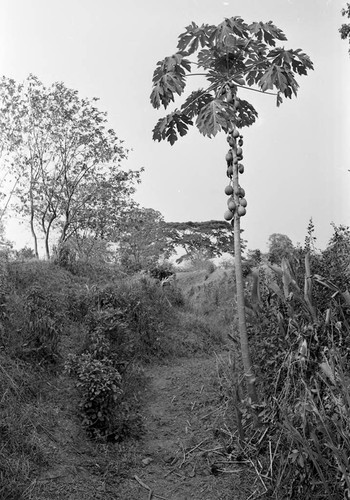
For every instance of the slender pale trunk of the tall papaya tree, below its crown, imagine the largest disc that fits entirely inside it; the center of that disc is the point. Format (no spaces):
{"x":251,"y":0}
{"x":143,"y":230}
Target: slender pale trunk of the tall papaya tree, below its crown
{"x":245,"y":352}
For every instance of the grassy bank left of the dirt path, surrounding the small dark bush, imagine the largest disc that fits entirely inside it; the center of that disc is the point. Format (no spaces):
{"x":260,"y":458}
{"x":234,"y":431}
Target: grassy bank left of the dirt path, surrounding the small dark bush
{"x":47,"y":313}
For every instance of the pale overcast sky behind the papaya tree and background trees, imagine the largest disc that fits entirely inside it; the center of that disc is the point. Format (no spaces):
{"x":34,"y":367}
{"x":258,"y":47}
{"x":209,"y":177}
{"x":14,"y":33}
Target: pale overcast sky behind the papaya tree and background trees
{"x":296,"y":157}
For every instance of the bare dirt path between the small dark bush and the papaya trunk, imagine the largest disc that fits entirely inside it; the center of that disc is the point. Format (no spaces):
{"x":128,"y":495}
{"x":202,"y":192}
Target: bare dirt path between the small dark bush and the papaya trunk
{"x":181,"y":453}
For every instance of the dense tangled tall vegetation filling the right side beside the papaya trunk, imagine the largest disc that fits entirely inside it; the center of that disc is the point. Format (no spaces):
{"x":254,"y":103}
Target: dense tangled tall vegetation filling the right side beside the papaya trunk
{"x":299,"y":334}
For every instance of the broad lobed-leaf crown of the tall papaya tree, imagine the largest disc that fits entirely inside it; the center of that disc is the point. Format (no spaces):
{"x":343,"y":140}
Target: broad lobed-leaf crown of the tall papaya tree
{"x":233,"y":55}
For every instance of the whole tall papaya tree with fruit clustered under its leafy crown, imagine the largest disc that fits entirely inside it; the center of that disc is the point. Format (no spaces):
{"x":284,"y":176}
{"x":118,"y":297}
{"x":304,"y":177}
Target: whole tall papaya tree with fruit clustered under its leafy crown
{"x":232,"y":57}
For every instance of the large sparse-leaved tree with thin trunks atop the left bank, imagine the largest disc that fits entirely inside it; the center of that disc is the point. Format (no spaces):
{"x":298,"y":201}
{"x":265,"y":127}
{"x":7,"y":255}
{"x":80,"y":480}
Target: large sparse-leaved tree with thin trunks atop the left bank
{"x":64,"y":154}
